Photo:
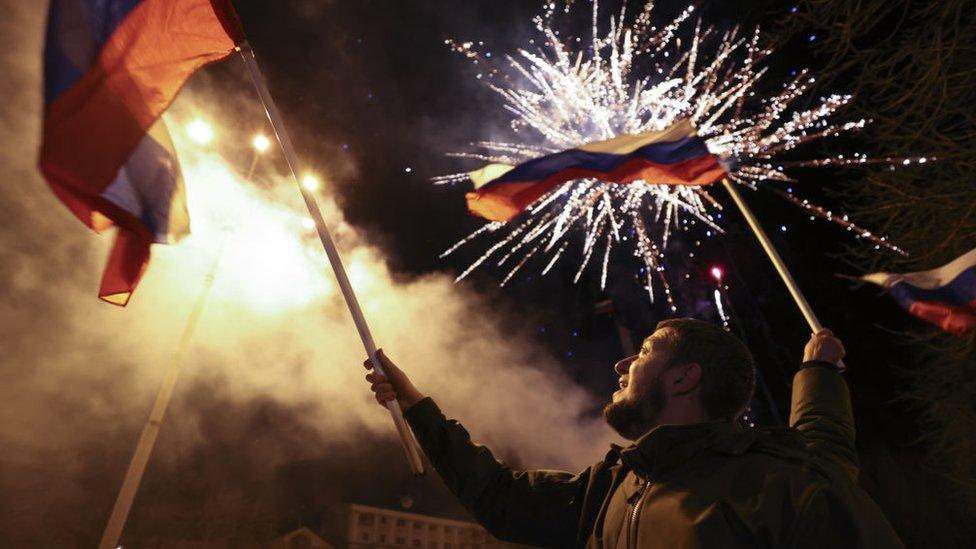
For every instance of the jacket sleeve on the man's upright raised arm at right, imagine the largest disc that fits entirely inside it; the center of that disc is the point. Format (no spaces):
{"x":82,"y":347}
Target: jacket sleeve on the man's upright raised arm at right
{"x":821,"y":411}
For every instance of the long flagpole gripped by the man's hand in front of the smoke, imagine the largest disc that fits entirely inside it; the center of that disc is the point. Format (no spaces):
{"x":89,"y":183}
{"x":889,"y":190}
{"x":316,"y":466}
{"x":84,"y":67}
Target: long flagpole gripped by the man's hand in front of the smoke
{"x":277,"y":123}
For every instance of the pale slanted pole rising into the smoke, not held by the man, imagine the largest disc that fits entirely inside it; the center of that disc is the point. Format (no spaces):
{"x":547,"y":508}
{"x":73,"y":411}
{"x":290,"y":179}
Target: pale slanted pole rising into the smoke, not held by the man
{"x":137,"y":466}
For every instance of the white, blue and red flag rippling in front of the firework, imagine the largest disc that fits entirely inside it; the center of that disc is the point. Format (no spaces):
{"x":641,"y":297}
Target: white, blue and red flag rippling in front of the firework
{"x":673,"y":156}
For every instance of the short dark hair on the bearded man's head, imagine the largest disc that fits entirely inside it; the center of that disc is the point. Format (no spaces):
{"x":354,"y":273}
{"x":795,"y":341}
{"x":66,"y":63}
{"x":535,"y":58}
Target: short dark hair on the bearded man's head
{"x":728,"y":369}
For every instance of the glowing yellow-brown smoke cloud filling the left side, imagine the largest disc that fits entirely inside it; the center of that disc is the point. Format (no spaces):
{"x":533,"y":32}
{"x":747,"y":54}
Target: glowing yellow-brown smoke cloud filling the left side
{"x":272,"y":421}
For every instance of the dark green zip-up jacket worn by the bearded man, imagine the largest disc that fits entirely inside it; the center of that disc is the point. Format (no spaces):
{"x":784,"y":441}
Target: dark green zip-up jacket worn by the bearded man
{"x":706,"y":485}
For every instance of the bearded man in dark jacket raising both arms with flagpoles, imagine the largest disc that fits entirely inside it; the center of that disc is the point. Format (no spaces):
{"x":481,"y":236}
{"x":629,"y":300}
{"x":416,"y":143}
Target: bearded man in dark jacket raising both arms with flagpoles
{"x":692,"y":477}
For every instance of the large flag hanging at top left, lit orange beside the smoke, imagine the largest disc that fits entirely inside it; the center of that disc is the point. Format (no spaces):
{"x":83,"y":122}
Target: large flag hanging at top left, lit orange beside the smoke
{"x":111,"y":67}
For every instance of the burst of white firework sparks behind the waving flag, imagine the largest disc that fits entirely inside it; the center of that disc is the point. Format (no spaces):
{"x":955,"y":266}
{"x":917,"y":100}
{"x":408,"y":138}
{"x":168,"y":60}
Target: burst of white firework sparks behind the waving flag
{"x":639,"y":78}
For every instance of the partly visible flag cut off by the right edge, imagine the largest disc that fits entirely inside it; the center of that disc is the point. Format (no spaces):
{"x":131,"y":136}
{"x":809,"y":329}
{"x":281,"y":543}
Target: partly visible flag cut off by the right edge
{"x":945,"y":296}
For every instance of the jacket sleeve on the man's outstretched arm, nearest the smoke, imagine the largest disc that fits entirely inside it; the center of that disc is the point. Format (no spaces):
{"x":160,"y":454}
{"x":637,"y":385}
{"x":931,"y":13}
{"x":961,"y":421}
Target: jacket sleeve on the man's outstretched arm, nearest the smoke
{"x":530,"y":507}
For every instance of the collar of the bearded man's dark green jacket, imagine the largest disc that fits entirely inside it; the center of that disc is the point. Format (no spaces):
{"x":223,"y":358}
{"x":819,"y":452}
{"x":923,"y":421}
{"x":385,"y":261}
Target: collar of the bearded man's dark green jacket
{"x":667,"y":446}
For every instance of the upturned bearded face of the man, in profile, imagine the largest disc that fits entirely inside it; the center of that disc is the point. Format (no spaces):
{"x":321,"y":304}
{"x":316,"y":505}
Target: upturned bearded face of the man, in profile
{"x":634,"y":407}
